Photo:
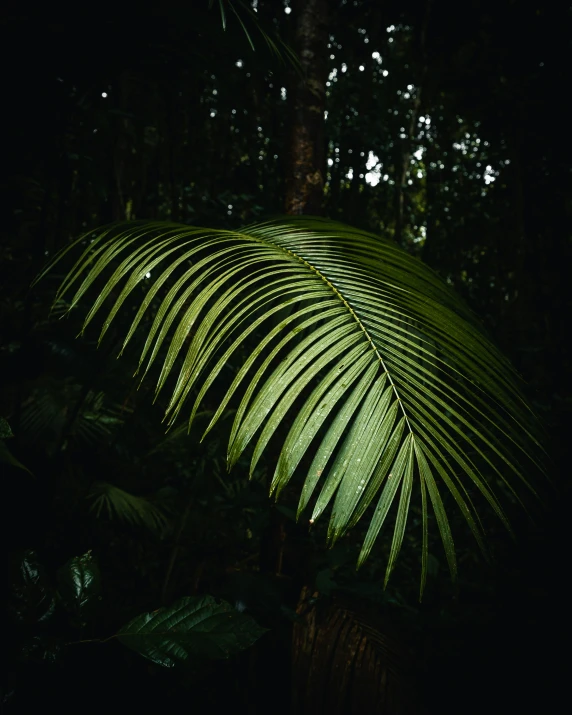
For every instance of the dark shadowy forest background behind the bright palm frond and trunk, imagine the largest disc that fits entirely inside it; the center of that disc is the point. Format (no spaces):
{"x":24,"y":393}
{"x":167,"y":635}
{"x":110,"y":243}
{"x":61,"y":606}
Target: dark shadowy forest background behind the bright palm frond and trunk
{"x":446,"y":129}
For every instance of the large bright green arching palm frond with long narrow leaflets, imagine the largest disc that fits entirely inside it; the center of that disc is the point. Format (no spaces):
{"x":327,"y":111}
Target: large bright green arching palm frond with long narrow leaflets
{"x":375,"y":366}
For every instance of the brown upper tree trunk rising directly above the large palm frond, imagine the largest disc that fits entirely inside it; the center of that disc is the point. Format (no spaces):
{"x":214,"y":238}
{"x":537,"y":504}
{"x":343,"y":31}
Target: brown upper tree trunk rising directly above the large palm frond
{"x":305,"y":170}
